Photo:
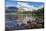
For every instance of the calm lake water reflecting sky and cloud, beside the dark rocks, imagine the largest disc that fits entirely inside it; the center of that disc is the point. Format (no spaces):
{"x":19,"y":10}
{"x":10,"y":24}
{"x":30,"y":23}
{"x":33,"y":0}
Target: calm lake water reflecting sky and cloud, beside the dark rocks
{"x":17,"y":21}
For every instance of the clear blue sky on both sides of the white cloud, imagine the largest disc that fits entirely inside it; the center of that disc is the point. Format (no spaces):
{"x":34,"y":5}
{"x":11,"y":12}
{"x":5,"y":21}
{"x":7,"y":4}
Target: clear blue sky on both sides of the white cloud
{"x":13,"y":3}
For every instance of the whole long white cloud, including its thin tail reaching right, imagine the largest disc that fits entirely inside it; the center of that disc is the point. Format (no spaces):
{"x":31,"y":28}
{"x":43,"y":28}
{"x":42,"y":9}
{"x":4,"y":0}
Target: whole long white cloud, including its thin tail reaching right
{"x":27,"y":7}
